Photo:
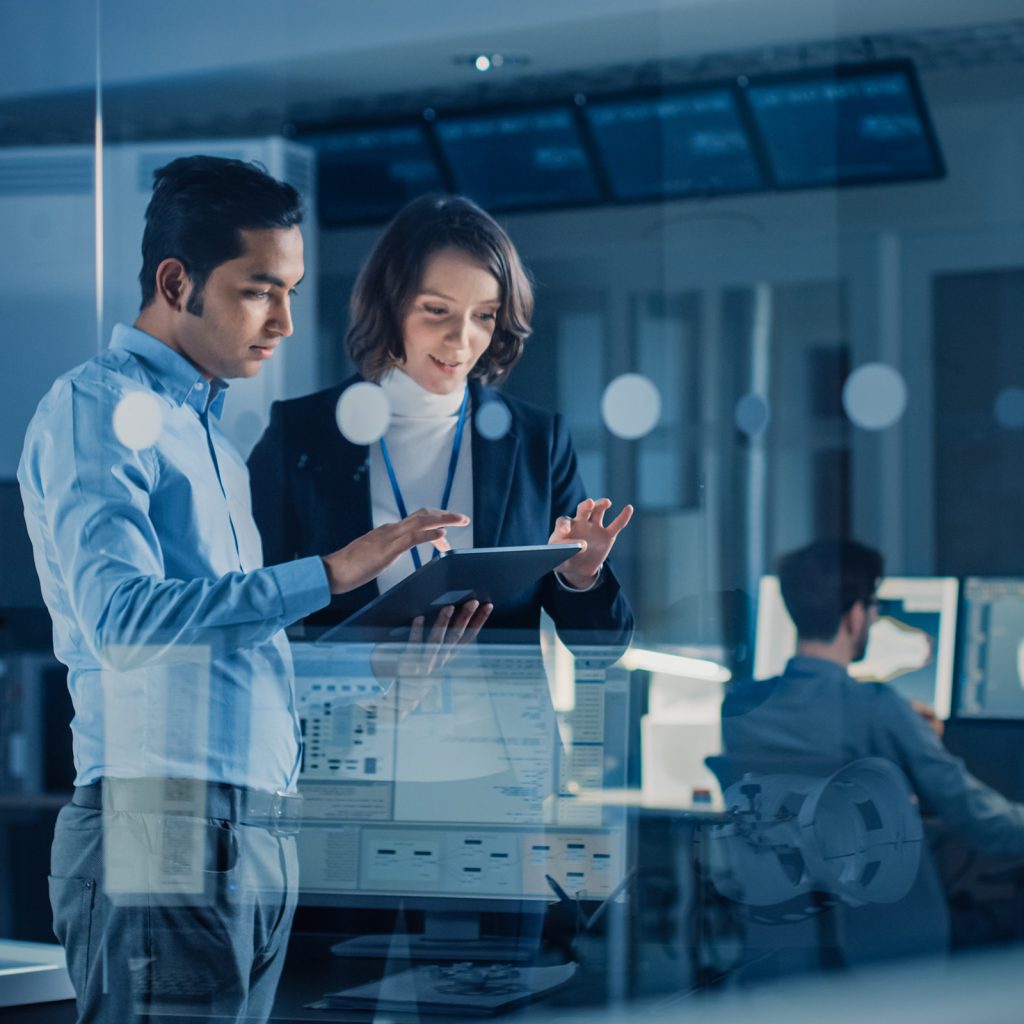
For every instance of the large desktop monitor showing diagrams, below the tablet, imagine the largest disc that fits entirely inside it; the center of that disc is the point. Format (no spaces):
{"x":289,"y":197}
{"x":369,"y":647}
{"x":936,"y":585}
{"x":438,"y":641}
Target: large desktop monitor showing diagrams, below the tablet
{"x":462,"y":796}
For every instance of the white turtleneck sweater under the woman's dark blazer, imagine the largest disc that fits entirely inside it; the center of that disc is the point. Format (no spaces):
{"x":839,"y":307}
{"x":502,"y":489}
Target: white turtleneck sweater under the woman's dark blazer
{"x":419,"y":442}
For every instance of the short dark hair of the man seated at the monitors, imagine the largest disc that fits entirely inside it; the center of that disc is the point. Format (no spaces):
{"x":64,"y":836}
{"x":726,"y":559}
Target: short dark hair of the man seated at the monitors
{"x":823,"y":582}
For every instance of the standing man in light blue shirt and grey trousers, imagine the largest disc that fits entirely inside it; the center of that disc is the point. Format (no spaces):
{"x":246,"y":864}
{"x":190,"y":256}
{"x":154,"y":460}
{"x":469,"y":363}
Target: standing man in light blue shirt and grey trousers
{"x":186,"y":737}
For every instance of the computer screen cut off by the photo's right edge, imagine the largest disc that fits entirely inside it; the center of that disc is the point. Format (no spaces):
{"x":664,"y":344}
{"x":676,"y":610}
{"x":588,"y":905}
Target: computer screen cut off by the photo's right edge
{"x":991,"y":676}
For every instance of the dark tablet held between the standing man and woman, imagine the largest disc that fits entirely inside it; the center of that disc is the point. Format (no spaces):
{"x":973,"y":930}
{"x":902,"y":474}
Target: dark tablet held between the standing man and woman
{"x":494,"y":575}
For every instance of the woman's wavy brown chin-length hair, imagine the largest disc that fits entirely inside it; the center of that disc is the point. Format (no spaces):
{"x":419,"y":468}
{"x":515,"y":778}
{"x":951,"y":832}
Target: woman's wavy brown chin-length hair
{"x":391,"y":279}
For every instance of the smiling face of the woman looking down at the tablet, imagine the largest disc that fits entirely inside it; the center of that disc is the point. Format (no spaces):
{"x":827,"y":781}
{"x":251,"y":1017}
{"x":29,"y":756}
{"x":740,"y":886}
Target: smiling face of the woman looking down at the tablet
{"x":450,"y":322}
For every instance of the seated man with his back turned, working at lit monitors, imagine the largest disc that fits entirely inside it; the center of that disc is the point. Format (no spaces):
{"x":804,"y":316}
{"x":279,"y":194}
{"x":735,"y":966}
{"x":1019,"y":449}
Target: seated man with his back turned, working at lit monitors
{"x":816,"y":718}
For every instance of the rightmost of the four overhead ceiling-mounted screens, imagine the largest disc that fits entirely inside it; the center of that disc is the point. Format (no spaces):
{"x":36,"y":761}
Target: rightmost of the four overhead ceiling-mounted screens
{"x":848,"y":125}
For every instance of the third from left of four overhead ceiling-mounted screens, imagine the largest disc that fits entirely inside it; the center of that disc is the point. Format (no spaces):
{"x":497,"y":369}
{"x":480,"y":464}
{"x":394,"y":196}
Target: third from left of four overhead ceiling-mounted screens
{"x":689,"y":144}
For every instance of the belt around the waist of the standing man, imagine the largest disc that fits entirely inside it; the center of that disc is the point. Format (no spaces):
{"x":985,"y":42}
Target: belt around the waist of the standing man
{"x":281,"y":814}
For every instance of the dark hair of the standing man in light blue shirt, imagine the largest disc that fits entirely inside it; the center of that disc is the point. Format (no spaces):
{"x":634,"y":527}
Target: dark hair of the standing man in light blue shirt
{"x":199,"y":207}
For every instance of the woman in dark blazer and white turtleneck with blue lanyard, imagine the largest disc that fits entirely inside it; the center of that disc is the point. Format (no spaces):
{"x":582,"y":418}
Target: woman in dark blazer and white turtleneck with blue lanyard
{"x":442,"y":310}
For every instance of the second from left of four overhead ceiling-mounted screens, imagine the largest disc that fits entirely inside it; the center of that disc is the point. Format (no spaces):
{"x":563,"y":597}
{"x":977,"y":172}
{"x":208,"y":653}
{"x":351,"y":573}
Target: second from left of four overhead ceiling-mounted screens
{"x":519,"y":160}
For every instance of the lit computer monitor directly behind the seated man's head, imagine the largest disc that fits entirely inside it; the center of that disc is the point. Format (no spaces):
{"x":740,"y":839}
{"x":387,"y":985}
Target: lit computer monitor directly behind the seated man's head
{"x":910,"y":647}
